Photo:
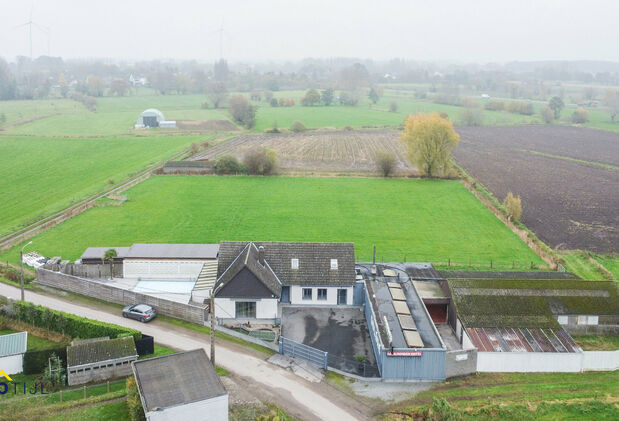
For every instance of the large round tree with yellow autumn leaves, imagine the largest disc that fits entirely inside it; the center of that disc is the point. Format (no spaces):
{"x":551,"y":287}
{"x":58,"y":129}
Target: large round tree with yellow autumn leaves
{"x":429,"y":139}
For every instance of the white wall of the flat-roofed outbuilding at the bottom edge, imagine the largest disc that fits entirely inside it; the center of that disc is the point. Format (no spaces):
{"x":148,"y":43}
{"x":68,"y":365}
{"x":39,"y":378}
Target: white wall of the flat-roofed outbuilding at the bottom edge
{"x":215,"y":409}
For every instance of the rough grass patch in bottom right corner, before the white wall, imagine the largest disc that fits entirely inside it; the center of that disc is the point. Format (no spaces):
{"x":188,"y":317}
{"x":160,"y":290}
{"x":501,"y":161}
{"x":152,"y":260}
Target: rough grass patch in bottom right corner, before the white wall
{"x":522,"y":396}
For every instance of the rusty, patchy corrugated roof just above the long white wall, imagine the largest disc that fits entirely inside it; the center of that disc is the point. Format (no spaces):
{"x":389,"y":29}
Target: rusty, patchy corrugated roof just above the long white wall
{"x":522,"y":340}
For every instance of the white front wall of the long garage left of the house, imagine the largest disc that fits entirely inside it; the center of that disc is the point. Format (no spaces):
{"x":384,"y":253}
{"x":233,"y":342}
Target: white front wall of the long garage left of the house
{"x":162,"y":269}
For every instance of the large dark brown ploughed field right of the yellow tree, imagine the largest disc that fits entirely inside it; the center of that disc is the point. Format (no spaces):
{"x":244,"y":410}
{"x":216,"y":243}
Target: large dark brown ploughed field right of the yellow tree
{"x":568,"y":204}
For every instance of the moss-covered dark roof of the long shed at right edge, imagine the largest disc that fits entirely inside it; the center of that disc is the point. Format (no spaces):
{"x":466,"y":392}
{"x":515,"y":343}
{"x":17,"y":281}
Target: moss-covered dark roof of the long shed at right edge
{"x":501,"y":303}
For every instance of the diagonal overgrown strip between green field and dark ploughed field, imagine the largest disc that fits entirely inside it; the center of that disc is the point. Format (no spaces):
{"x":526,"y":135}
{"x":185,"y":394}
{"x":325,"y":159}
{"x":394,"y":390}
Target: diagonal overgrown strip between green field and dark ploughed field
{"x":527,"y":236}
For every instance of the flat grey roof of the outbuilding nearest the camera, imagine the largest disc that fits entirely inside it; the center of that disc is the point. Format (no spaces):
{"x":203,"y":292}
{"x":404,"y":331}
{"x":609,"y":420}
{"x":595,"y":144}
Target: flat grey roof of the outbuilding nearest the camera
{"x":176,"y":379}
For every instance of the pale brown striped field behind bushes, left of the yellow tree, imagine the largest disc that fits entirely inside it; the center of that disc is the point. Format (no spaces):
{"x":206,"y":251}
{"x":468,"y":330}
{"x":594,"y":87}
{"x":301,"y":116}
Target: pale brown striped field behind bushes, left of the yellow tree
{"x":319,"y":151}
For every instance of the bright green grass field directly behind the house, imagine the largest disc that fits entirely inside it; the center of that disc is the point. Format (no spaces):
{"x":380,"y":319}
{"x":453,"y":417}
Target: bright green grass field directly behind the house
{"x":412,"y":220}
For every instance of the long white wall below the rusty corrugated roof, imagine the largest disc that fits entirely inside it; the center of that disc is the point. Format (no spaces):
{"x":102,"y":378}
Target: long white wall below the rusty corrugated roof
{"x":529,"y":362}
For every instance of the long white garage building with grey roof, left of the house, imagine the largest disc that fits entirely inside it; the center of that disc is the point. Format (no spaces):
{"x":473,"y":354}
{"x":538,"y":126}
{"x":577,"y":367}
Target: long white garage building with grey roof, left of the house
{"x":168,"y":261}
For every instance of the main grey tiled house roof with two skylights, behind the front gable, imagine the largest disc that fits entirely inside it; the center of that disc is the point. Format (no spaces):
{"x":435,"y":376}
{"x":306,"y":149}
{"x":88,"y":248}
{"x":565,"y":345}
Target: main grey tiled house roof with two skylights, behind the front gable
{"x":314,"y":261}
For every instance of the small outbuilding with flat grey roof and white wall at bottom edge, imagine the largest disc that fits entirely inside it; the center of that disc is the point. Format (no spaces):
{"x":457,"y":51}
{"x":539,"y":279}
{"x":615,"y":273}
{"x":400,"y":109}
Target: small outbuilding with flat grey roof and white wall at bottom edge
{"x":181,"y":386}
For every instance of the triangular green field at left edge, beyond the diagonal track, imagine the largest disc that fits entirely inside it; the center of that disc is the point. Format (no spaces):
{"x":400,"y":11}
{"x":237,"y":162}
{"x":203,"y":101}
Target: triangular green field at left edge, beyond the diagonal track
{"x":39,"y":176}
